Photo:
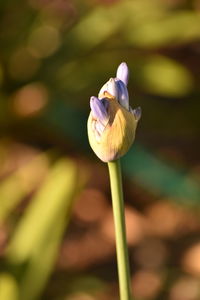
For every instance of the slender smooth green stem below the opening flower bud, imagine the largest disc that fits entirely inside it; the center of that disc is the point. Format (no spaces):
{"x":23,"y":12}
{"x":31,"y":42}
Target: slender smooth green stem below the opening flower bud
{"x":120,"y":232}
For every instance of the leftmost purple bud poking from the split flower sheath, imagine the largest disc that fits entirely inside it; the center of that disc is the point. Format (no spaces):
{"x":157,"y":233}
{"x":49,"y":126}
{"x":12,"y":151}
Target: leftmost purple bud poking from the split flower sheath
{"x":99,"y":109}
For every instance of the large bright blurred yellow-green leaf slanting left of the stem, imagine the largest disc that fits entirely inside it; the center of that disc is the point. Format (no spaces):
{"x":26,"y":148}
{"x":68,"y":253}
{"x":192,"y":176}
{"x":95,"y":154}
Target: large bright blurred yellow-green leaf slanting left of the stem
{"x":44,"y":210}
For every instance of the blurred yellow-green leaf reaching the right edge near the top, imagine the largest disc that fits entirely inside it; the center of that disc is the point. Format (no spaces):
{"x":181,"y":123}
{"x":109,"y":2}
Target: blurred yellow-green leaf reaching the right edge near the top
{"x":171,"y":29}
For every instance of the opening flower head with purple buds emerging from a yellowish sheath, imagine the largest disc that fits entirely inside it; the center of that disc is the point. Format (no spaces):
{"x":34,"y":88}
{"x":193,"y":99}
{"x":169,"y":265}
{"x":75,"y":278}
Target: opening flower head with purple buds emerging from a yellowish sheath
{"x":112,"y":122}
